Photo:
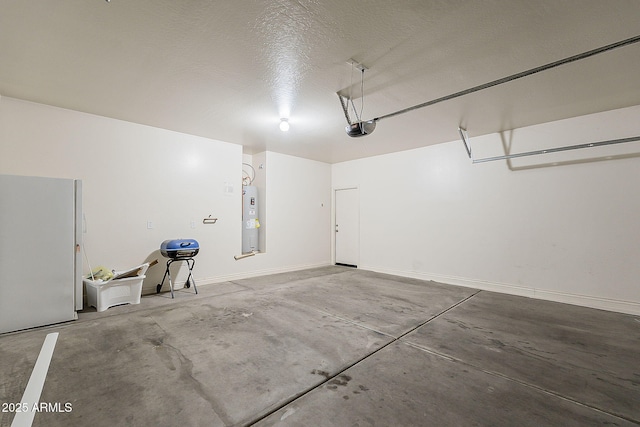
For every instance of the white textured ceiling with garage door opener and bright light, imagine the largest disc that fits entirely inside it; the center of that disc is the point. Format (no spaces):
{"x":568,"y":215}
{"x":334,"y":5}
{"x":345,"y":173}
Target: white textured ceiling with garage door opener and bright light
{"x":229,"y":70}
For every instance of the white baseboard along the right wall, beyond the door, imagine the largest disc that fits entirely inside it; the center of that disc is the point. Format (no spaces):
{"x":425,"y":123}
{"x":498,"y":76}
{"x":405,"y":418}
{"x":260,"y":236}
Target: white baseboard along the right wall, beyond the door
{"x":627,"y":307}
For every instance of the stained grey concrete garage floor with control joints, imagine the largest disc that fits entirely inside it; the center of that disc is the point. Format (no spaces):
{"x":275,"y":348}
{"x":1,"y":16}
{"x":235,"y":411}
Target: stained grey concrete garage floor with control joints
{"x":334,"y":347}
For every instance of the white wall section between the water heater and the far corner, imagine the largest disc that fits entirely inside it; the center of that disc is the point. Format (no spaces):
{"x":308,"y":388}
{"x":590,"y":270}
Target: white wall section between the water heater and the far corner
{"x":294,"y":212}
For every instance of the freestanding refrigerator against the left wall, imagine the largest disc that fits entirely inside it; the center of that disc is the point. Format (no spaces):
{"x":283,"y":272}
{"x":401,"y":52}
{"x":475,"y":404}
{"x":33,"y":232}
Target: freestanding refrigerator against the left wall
{"x":40,"y":252}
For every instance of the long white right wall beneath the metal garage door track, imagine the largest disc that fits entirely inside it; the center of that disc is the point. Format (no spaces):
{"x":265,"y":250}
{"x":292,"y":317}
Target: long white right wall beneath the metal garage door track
{"x":558,"y":226}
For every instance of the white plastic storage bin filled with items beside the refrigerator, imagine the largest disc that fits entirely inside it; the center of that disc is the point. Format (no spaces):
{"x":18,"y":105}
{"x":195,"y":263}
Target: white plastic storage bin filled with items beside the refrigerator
{"x":103,"y":295}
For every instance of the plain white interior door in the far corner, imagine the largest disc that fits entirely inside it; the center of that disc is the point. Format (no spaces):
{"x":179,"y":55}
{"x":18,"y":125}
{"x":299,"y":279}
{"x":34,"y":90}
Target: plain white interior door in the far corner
{"x":347,"y":229}
